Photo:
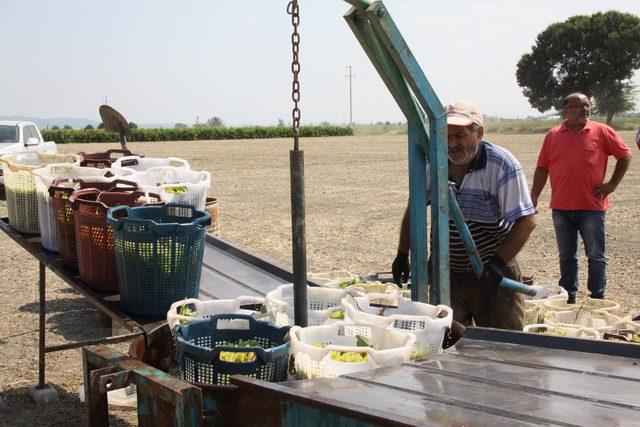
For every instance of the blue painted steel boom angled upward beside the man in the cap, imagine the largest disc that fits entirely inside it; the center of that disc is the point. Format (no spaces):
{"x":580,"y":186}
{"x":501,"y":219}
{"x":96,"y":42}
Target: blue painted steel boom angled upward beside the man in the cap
{"x":389,"y":53}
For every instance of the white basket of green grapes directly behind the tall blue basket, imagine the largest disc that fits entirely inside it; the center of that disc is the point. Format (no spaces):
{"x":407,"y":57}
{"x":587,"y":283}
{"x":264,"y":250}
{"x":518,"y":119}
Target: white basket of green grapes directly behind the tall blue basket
{"x":176,"y":185}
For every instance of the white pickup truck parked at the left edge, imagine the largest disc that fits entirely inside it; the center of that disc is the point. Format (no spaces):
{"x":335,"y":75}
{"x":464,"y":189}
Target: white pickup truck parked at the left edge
{"x":17,"y":136}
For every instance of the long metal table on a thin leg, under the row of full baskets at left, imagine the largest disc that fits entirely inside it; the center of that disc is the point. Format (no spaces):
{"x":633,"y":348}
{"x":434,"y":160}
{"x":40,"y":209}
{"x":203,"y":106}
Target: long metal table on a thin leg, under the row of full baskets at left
{"x":227,"y":272}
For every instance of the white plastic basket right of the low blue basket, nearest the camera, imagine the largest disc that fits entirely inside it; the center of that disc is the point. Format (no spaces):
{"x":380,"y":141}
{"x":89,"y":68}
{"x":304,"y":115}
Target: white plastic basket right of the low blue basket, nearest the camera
{"x":390,"y":348}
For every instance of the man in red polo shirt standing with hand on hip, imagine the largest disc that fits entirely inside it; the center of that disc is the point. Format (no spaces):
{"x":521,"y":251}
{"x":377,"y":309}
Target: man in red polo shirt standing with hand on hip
{"x":574,"y":154}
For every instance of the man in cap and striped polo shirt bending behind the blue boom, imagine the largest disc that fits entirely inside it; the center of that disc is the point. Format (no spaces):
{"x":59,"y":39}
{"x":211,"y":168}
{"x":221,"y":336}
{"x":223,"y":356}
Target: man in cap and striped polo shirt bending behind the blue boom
{"x":492,"y":193}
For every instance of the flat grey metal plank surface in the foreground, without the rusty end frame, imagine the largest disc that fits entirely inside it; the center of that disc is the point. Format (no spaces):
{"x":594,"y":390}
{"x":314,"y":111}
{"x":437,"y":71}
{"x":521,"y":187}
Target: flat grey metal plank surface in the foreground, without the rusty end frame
{"x":490,"y":378}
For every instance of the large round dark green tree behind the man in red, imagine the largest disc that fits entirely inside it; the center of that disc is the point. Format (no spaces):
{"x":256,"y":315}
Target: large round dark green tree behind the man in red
{"x":596,"y":55}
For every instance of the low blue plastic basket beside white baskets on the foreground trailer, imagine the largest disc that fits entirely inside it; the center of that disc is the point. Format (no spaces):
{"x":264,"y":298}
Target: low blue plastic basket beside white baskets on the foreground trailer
{"x":199,"y":344}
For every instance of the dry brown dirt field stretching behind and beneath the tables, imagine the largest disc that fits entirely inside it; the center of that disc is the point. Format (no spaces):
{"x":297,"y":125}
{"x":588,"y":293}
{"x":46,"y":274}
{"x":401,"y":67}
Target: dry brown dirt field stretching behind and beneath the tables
{"x":356,"y":191}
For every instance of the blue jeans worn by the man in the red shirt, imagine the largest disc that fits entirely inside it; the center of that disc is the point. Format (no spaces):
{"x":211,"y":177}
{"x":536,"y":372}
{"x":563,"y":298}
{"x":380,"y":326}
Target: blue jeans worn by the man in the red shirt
{"x":590,"y":225}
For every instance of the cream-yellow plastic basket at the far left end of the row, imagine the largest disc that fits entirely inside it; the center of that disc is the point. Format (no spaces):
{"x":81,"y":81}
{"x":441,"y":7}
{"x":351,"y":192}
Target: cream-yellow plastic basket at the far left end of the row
{"x":20,"y":186}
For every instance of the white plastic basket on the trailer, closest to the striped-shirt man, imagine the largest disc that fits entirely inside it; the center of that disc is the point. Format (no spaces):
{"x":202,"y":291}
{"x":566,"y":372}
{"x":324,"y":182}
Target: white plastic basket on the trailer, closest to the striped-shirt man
{"x":428,"y":322}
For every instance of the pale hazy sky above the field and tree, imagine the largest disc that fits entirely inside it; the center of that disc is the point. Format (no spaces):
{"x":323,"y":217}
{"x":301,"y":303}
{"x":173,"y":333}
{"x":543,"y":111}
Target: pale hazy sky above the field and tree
{"x":162,"y":61}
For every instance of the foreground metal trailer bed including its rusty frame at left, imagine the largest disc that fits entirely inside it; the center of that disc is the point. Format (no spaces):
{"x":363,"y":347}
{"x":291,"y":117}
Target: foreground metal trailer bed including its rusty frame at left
{"x":490,"y":378}
